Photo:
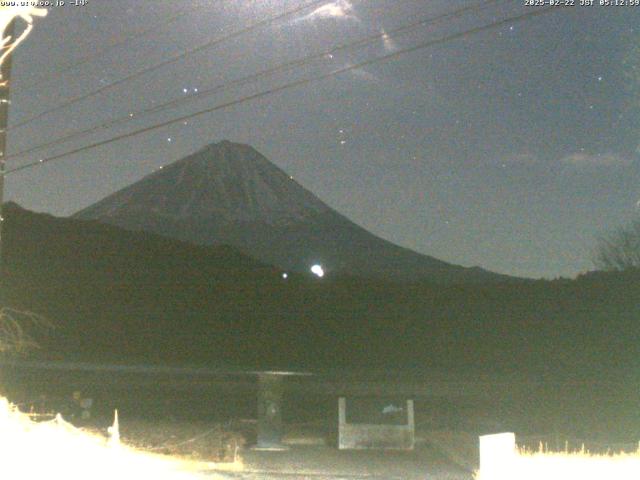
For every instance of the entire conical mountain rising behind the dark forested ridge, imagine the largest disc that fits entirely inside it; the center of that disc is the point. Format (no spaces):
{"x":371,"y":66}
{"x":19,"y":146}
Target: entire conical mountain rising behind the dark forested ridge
{"x":228,"y":193}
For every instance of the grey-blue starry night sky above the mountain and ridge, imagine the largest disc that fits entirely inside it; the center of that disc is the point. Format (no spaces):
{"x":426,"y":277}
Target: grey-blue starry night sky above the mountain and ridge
{"x":512,"y":149}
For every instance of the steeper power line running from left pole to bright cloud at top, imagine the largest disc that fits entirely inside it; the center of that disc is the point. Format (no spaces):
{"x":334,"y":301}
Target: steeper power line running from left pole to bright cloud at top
{"x":164,"y":63}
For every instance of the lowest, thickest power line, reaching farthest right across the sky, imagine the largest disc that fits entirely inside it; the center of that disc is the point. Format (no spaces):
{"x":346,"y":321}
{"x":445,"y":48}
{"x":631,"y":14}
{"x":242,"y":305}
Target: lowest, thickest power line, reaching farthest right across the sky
{"x":448,"y":38}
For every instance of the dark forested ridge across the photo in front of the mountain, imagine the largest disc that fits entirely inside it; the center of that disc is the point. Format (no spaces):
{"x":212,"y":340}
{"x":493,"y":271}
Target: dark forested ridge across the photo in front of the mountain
{"x":136,"y":297}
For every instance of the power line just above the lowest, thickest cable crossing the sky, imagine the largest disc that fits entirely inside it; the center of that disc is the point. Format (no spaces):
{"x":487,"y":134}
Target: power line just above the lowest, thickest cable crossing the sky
{"x":250,"y":78}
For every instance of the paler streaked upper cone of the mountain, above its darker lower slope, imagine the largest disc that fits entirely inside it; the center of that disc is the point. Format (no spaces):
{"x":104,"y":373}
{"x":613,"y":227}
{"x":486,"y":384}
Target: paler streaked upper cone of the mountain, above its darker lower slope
{"x":227,"y":181}
